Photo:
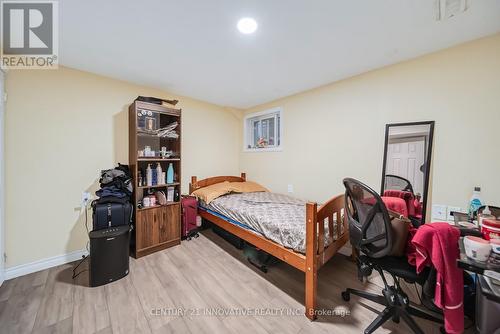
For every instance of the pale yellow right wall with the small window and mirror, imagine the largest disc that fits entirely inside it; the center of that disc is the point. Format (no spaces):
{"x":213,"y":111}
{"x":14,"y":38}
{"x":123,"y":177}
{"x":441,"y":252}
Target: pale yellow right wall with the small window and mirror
{"x":338,"y":130}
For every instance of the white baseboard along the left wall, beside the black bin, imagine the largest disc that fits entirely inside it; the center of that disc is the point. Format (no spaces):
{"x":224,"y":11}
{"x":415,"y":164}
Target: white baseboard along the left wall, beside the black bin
{"x":50,"y":262}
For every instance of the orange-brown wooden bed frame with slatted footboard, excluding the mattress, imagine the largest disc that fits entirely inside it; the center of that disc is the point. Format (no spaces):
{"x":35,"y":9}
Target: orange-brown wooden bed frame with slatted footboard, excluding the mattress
{"x":331,"y":212}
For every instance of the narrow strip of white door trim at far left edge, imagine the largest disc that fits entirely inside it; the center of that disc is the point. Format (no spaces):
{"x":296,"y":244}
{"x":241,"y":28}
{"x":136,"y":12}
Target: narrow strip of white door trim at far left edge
{"x":2,"y":179}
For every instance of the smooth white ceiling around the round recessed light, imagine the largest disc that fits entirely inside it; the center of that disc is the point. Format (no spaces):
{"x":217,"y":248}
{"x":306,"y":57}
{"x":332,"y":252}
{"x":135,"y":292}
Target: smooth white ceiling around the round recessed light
{"x":192,"y":47}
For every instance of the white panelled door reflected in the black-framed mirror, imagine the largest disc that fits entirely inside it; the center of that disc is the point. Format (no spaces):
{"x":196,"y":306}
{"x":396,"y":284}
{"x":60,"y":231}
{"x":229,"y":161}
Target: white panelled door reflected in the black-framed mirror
{"x":405,"y":158}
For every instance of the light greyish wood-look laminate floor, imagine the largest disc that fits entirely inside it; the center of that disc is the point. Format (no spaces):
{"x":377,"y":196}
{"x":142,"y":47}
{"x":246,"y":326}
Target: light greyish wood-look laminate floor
{"x":200,"y":276}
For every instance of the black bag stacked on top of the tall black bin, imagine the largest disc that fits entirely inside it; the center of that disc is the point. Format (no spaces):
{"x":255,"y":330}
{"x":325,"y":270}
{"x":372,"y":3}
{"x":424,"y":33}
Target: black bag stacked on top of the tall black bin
{"x":107,"y":215}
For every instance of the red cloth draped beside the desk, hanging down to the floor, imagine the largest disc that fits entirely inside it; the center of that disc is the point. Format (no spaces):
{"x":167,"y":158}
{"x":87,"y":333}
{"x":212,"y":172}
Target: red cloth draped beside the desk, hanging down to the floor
{"x":436,"y":244}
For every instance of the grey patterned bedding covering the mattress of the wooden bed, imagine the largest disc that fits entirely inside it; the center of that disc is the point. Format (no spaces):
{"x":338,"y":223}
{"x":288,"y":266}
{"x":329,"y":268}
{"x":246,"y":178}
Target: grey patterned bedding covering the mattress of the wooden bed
{"x":278,"y":217}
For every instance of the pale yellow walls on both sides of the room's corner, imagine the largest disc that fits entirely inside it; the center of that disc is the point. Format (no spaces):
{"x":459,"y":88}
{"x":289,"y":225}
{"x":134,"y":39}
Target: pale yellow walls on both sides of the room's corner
{"x":63,"y":126}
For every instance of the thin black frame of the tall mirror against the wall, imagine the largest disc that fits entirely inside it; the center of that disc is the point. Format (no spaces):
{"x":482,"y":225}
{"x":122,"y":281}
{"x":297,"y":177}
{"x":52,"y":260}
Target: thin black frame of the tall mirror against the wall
{"x":428,"y":159}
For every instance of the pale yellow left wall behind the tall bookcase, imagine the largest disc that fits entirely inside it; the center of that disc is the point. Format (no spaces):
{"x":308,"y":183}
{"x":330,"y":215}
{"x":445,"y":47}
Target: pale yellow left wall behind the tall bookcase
{"x":62,"y":127}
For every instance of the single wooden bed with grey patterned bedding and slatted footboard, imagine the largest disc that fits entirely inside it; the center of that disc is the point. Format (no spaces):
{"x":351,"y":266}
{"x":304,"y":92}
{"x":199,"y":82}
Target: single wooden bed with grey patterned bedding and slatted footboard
{"x":296,"y":232}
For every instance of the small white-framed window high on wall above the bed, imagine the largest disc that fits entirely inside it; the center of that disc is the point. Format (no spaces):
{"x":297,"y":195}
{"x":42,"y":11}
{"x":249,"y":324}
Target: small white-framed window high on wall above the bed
{"x":263,"y":130}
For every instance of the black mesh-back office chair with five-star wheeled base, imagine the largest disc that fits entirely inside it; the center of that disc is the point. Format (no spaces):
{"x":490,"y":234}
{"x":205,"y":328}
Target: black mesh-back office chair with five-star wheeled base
{"x":371,"y":233}
